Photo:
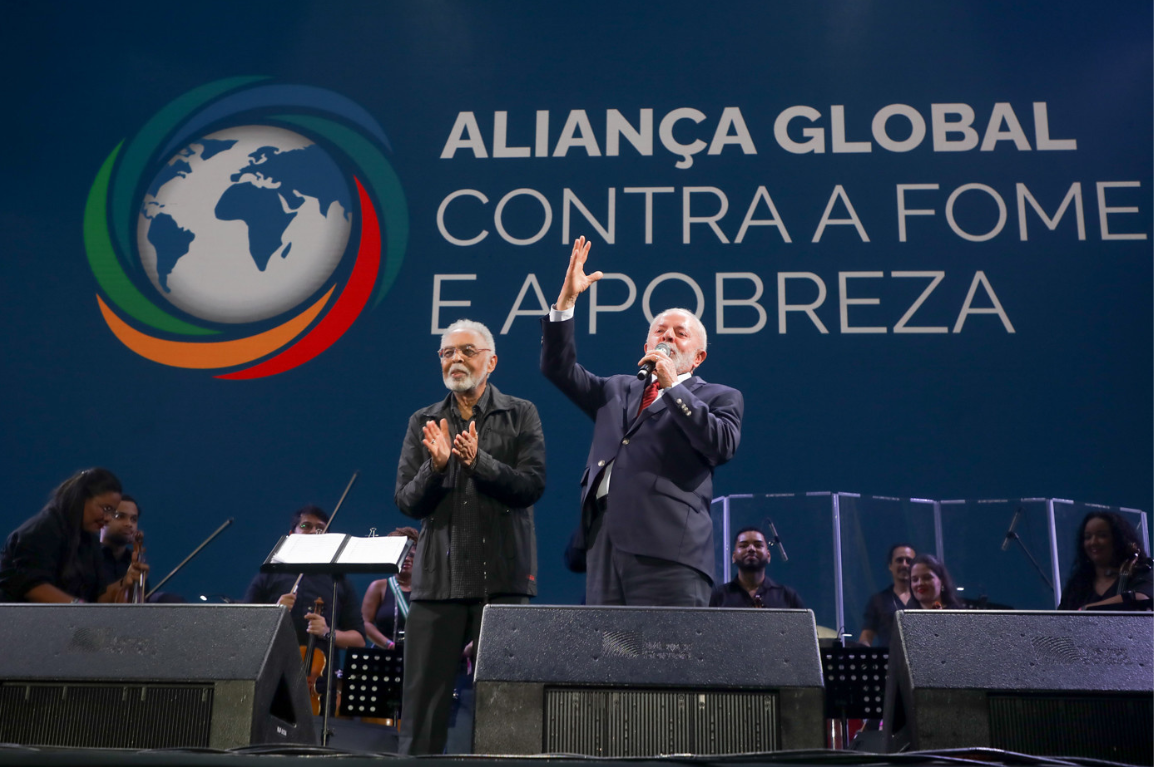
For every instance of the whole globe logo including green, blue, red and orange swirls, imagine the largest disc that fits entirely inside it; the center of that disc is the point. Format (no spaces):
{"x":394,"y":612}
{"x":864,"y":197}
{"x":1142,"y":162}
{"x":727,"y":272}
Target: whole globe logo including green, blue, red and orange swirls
{"x":245,"y":229}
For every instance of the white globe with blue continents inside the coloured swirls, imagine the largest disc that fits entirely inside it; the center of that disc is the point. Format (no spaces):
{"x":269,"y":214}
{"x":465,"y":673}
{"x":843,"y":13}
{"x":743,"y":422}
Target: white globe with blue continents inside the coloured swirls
{"x":244,"y":224}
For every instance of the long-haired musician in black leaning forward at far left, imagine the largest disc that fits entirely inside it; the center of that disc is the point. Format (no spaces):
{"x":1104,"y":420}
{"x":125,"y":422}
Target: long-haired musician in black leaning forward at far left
{"x":56,"y":555}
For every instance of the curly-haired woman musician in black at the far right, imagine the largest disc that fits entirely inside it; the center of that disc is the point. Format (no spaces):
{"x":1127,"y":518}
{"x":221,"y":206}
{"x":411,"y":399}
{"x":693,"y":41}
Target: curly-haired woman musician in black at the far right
{"x":1112,"y":570}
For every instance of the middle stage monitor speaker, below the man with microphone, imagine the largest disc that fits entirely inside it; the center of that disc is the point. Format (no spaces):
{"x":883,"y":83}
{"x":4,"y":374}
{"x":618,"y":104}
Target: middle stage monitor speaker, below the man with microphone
{"x":642,"y":682}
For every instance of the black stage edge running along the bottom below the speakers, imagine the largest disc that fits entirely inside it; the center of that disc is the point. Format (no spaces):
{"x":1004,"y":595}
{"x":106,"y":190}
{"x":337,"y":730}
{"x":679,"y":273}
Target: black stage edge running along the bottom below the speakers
{"x":303,"y":757}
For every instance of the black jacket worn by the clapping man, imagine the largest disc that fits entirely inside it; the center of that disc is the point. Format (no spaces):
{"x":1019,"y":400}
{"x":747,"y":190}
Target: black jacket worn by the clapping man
{"x":509,"y":475}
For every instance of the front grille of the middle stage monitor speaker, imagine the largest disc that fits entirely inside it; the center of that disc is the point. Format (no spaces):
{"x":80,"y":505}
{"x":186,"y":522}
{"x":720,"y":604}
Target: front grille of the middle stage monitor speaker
{"x":651,"y":723}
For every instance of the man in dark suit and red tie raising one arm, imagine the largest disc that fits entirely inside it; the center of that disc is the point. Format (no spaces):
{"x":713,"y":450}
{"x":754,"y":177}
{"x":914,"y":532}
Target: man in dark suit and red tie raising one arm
{"x":649,"y":478}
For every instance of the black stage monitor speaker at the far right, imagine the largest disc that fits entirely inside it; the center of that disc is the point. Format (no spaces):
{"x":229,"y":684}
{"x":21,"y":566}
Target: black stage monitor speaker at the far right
{"x":1056,"y":685}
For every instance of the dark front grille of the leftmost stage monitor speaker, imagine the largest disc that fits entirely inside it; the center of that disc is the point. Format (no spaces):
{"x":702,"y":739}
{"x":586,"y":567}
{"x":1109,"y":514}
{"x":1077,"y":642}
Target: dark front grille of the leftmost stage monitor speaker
{"x":107,"y":716}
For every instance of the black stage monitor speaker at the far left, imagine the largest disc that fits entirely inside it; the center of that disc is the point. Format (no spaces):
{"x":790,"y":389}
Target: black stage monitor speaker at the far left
{"x":152,"y":676}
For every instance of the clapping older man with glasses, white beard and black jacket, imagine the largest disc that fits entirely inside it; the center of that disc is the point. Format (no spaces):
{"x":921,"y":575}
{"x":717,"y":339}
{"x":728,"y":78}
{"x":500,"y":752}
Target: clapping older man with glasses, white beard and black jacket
{"x":471,"y":469}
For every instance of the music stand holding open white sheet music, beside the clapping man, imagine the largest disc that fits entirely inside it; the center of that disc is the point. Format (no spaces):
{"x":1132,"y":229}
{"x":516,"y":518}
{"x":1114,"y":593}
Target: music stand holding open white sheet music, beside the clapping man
{"x":336,"y":555}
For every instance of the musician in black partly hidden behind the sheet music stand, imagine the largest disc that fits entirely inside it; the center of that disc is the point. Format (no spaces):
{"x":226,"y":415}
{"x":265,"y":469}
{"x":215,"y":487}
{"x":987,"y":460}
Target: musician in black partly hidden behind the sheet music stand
{"x":276,"y":589}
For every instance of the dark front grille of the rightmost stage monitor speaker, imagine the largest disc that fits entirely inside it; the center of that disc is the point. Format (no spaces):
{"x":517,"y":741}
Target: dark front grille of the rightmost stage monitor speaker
{"x":1116,"y":728}
